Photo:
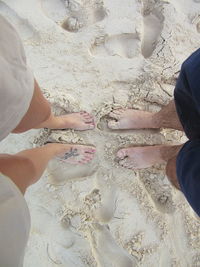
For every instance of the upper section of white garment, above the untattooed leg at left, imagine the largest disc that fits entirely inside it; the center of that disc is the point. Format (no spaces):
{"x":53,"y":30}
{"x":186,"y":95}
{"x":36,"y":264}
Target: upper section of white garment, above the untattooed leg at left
{"x":16,"y":79}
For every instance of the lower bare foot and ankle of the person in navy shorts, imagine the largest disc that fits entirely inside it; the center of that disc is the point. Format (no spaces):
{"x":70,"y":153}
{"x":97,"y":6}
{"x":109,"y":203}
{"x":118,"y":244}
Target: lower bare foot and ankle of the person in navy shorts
{"x":147,"y":156}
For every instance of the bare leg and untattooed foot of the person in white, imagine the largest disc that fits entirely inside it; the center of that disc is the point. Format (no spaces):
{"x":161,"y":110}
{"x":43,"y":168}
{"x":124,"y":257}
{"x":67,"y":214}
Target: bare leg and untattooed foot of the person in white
{"x":39,"y":115}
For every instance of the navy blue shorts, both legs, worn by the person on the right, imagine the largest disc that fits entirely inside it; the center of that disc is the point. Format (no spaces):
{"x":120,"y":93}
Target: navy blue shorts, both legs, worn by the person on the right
{"x":187,"y":100}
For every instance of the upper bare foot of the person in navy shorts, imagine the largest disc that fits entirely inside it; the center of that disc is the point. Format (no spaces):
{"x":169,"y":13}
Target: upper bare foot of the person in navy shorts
{"x":131,"y":119}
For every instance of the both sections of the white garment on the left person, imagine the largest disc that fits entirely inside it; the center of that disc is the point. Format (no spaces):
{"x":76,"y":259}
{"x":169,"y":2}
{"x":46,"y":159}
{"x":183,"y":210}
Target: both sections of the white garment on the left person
{"x":16,"y":91}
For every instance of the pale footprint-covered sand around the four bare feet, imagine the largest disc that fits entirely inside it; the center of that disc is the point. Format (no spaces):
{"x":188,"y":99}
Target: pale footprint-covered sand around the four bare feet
{"x":96,"y":55}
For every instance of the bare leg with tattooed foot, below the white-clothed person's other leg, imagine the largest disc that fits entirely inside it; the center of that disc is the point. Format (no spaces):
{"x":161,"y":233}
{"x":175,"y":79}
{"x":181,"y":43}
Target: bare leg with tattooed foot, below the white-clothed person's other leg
{"x":26,"y":167}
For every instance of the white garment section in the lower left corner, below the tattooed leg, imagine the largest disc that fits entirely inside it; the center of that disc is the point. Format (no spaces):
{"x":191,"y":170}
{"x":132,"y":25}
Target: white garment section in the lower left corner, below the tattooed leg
{"x":14,"y":224}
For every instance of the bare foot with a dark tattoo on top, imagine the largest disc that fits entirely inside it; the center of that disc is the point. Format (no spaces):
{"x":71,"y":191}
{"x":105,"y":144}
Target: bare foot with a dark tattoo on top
{"x":73,"y":154}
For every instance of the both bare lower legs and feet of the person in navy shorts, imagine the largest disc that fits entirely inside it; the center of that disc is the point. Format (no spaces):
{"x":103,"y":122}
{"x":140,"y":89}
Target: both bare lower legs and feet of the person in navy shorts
{"x":144,"y":157}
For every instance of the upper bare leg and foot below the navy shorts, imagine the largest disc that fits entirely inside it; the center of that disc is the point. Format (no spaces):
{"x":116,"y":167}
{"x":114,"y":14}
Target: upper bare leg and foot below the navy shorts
{"x":134,"y":119}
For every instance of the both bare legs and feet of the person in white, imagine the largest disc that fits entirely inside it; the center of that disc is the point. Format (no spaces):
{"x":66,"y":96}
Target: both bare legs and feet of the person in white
{"x":26,"y":167}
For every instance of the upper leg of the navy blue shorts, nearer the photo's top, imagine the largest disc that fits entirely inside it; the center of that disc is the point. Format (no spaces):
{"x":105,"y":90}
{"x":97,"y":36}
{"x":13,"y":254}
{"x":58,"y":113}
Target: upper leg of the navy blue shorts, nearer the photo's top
{"x":187,"y":95}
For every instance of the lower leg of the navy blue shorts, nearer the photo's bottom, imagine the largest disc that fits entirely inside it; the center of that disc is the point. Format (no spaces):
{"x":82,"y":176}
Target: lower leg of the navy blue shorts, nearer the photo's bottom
{"x":188,"y":173}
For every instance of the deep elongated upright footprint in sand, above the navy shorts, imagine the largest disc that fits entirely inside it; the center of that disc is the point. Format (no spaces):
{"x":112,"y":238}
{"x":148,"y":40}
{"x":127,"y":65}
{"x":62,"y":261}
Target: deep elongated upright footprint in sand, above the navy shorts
{"x":152,"y":27}
